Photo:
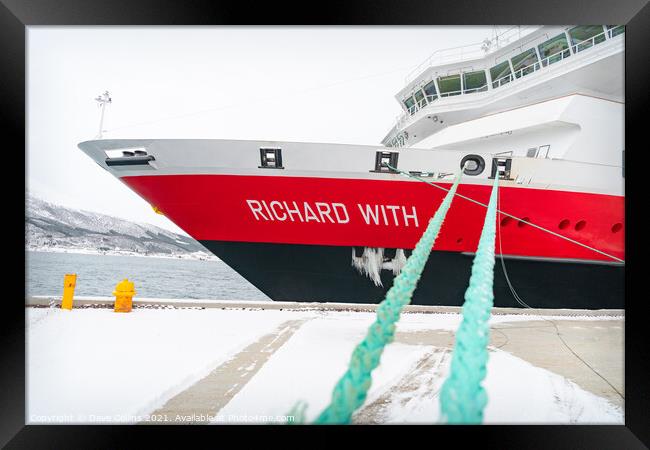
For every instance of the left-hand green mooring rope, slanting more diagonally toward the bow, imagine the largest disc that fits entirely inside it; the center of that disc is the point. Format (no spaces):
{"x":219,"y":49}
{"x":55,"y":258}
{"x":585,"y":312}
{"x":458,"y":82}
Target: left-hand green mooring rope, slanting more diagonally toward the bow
{"x":351,"y":390}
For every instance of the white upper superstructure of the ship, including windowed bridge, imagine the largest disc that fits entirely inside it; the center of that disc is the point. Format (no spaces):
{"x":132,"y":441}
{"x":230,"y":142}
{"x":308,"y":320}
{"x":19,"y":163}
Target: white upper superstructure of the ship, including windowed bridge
{"x":557,"y":93}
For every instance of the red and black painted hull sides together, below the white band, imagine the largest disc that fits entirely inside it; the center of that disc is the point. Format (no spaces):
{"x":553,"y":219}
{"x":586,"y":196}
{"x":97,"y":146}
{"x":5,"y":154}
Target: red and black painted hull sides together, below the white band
{"x":266,"y":230}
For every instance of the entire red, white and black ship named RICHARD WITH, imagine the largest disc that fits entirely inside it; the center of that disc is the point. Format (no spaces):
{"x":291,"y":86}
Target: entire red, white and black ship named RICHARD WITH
{"x":322,"y":222}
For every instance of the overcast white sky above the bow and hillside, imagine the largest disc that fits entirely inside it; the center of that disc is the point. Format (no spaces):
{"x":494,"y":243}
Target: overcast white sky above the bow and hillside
{"x":314,"y":84}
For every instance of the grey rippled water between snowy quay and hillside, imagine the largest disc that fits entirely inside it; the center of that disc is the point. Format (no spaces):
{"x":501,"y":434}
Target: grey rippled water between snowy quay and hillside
{"x":153,"y":277}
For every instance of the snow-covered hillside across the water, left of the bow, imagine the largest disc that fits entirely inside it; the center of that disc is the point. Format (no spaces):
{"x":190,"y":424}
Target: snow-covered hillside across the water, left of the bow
{"x":50,"y":227}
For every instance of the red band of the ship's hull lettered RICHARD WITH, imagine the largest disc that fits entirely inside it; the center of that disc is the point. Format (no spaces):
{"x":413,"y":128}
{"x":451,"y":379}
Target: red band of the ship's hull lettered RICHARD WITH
{"x":271,"y":209}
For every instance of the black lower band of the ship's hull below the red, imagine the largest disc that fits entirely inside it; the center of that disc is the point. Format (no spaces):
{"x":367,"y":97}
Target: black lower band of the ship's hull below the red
{"x":322,"y":273}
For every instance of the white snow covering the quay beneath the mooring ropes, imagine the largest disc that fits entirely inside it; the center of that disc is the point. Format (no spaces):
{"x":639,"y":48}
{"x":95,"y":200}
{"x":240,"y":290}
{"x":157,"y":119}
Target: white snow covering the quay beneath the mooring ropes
{"x":96,"y":366}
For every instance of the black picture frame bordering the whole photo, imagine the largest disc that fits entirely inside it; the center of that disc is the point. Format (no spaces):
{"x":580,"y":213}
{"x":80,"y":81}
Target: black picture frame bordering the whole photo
{"x":16,"y":15}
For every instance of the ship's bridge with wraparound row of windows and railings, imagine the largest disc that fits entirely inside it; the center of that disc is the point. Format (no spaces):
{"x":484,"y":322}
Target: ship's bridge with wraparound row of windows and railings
{"x":465,"y":83}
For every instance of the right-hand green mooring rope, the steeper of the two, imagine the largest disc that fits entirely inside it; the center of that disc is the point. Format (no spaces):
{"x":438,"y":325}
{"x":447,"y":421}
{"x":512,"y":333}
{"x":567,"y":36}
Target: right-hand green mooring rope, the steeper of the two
{"x":462,"y":398}
